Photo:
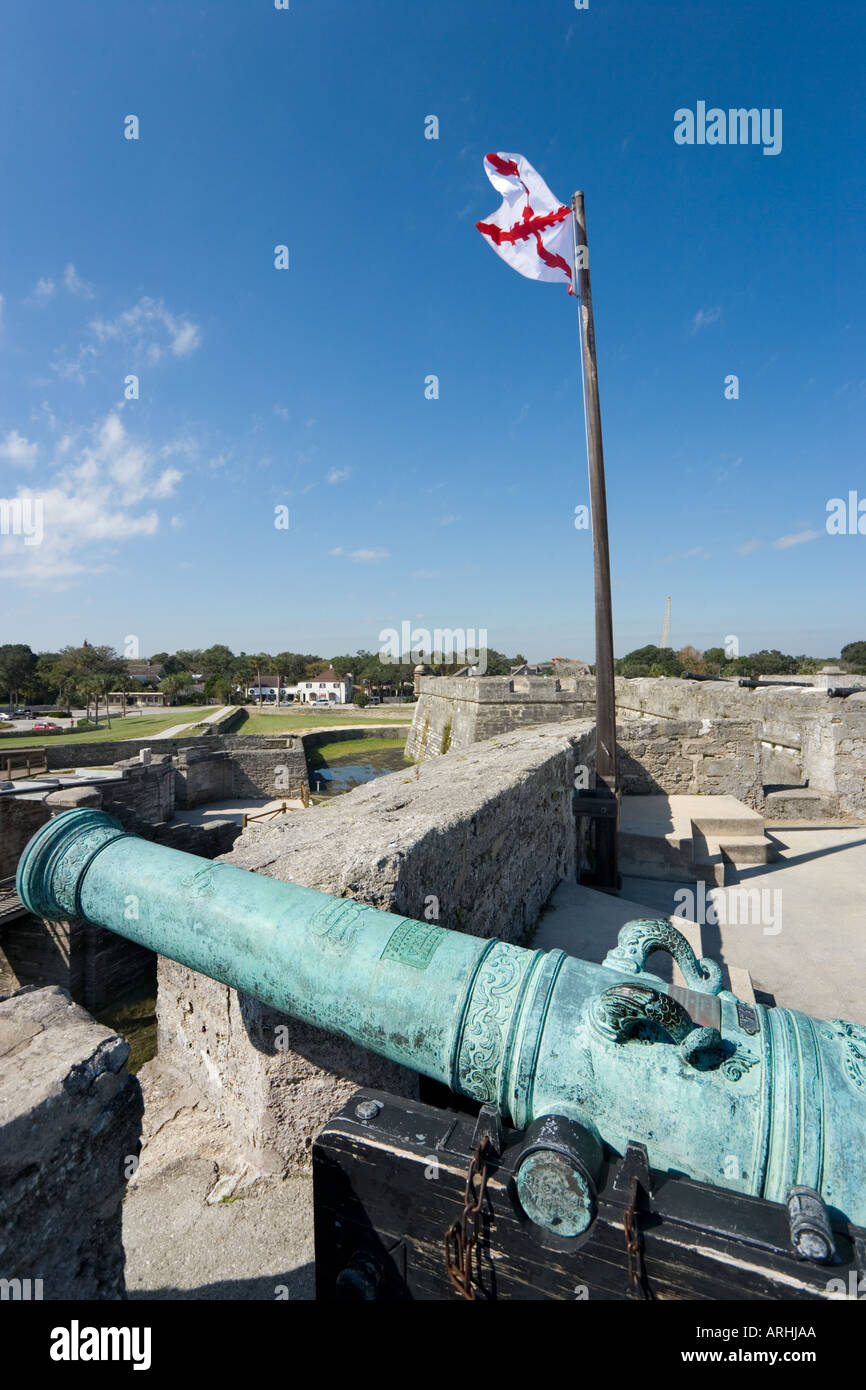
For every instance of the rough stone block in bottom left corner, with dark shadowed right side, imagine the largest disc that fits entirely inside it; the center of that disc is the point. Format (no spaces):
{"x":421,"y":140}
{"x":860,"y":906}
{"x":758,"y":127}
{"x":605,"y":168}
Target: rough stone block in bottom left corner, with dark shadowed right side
{"x":70,"y":1121}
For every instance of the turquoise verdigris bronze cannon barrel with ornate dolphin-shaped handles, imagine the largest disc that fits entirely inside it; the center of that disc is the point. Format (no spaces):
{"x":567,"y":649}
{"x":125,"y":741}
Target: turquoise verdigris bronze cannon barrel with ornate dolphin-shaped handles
{"x":580,"y":1056}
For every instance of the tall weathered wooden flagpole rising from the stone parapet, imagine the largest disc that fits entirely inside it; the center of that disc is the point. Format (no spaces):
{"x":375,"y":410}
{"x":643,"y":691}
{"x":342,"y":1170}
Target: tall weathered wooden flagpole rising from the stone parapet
{"x":605,"y":708}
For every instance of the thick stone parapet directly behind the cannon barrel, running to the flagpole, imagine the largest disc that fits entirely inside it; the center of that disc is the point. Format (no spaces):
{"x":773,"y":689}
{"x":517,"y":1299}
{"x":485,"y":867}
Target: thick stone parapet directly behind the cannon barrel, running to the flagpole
{"x":476,"y":842}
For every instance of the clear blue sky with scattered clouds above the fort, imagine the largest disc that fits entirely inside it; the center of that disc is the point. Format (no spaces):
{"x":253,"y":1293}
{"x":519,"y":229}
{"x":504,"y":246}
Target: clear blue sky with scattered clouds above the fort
{"x":305,"y":389}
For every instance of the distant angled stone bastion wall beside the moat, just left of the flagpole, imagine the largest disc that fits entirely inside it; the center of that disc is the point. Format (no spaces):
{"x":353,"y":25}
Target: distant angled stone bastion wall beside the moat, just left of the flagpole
{"x":457,"y":712}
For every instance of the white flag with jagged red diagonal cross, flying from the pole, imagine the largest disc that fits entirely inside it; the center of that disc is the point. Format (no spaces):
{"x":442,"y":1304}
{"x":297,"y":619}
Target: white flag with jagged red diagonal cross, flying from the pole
{"x":532,"y":230}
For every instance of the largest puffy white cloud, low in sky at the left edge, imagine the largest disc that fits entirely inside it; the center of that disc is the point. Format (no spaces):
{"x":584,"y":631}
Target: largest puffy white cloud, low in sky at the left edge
{"x":95,"y":498}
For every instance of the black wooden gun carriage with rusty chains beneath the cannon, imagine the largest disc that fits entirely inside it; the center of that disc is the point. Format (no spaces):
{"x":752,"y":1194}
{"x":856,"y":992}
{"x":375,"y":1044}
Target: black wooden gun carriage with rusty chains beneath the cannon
{"x":418,"y":1203}
